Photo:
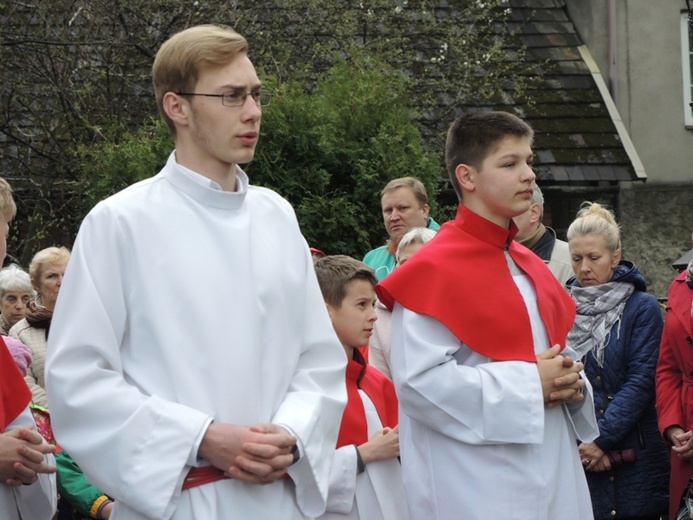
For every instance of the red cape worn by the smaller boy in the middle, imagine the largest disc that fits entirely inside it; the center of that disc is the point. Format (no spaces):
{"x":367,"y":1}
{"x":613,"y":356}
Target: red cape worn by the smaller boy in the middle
{"x":378,"y":388}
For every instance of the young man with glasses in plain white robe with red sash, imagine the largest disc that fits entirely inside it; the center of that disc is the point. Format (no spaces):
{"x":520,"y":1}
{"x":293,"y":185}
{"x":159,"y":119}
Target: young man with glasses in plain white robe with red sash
{"x":192,"y":368}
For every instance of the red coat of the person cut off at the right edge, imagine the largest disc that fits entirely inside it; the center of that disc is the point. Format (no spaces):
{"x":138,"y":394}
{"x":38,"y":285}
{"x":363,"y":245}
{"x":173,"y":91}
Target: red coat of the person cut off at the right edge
{"x":674,"y":379}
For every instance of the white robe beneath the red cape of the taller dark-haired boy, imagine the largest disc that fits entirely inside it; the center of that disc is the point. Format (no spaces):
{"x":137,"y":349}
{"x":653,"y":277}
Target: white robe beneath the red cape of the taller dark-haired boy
{"x":476,"y":440}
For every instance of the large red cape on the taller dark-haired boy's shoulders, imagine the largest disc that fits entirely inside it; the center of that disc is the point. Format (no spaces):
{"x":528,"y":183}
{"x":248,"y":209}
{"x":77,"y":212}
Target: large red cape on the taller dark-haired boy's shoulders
{"x":461,"y":278}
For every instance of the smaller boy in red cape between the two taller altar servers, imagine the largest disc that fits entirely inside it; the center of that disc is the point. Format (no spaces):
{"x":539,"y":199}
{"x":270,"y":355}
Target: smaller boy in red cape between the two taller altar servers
{"x":366,"y":477}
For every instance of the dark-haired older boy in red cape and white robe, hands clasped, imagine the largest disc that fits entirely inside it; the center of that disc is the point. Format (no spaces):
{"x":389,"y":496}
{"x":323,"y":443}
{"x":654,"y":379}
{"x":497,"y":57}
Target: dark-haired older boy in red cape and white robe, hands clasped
{"x":491,"y":403}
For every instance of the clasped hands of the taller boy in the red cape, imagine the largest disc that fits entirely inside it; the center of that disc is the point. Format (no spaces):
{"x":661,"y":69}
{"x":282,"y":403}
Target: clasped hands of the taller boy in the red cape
{"x":560,"y":378}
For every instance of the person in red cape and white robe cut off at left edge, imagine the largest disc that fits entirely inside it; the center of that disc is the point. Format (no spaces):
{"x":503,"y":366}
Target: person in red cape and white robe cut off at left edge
{"x":27,"y":483}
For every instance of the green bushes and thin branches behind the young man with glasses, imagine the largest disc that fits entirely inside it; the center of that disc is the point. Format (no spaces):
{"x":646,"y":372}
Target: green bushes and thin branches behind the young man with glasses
{"x":76,"y":101}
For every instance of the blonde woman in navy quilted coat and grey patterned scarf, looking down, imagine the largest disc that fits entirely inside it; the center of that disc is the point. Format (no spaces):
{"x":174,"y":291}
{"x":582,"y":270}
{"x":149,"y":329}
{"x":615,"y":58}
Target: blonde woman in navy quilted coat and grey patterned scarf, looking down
{"x":617,"y":332}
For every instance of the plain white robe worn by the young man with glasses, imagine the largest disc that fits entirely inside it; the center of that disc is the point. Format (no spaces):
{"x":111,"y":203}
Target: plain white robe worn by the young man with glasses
{"x":182,"y":304}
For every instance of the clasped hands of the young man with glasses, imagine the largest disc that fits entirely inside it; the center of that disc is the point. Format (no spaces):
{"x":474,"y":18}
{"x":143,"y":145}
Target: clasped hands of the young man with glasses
{"x":257,"y":454}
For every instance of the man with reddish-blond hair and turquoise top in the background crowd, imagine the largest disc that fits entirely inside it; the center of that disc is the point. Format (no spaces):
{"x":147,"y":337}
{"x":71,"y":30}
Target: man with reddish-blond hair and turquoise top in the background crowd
{"x":405,"y":206}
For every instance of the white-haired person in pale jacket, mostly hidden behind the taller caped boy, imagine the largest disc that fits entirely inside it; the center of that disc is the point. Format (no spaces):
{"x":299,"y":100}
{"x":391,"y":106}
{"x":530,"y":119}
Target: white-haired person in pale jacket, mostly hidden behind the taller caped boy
{"x":379,"y":356}
